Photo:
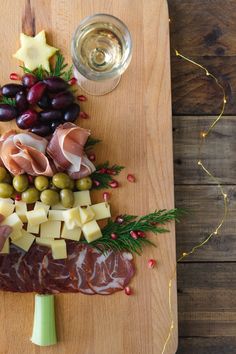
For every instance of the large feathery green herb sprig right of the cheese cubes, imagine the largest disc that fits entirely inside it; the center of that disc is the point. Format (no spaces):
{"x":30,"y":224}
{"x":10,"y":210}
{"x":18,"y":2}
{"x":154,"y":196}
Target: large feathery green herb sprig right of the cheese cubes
{"x":124,"y":241}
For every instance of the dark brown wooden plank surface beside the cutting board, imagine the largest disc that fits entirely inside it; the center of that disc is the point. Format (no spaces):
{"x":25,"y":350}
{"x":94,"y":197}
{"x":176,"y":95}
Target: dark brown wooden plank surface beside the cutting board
{"x":205,"y":30}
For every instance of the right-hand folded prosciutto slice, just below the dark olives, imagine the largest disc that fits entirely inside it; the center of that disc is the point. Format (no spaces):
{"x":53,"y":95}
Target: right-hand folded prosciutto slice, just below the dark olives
{"x":66,"y":148}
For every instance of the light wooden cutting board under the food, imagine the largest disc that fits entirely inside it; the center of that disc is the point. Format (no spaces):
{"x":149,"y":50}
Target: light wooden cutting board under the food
{"x":134,"y":122}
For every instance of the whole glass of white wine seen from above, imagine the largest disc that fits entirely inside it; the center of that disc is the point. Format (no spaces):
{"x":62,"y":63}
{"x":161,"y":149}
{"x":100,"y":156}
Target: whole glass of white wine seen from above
{"x":101,"y":52}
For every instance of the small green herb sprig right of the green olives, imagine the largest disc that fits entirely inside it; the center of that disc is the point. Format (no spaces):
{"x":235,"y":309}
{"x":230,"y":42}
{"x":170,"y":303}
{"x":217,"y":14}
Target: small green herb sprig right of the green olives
{"x":104,"y":175}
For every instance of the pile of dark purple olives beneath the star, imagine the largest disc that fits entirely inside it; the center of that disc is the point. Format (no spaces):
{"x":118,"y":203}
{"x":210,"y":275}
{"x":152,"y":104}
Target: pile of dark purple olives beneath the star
{"x":40,"y":105}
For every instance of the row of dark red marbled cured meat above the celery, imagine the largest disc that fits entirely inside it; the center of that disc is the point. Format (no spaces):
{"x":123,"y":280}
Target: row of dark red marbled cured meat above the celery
{"x":85,"y":270}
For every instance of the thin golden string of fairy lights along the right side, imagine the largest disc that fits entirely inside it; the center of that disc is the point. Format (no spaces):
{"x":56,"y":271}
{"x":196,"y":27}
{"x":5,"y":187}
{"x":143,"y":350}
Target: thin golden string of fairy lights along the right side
{"x":216,"y":230}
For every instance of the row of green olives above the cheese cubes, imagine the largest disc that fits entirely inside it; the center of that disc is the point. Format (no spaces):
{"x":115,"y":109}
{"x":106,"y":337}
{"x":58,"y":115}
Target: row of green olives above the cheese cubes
{"x":50,"y":191}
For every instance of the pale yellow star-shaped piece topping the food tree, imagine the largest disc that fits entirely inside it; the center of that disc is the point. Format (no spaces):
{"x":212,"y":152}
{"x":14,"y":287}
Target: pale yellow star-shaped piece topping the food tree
{"x":34,"y":51}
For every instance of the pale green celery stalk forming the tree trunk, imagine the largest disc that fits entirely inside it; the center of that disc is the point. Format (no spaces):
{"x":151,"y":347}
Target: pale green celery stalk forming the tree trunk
{"x":44,"y":329}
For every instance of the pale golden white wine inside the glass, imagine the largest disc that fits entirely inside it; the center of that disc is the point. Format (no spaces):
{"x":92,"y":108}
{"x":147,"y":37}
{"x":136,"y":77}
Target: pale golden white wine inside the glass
{"x":100,"y":47}
